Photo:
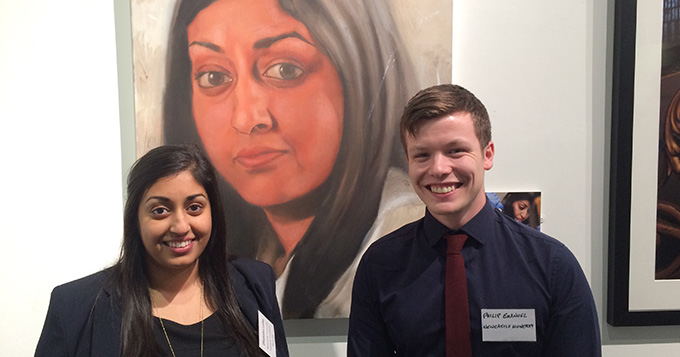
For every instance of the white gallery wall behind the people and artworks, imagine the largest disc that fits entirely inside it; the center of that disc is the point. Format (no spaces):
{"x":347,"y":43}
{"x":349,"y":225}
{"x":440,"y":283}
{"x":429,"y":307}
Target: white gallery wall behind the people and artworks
{"x":540,"y":66}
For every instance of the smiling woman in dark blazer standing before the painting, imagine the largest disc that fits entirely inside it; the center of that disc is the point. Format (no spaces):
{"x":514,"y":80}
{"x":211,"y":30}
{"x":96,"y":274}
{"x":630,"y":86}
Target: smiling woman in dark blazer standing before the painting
{"x":173,"y":289}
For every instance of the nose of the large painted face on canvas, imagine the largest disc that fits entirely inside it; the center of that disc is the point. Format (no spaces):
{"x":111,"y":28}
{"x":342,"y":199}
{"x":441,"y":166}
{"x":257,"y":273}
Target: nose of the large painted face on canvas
{"x":251,"y":115}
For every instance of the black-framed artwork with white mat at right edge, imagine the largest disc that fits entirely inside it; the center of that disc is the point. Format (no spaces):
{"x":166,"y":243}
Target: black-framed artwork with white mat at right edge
{"x":643,"y":286}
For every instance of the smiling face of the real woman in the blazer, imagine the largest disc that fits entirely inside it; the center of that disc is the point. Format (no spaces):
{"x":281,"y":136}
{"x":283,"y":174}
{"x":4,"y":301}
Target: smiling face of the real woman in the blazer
{"x":174,"y":221}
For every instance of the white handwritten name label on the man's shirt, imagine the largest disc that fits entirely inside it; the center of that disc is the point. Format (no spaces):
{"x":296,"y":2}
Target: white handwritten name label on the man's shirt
{"x":502,"y":325}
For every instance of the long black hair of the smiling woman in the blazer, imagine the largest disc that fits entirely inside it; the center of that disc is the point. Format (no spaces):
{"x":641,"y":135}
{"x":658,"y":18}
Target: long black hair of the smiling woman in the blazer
{"x":130,"y":277}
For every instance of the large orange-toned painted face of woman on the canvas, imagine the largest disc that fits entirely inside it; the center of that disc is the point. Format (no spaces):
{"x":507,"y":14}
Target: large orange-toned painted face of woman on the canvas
{"x":267,"y":102}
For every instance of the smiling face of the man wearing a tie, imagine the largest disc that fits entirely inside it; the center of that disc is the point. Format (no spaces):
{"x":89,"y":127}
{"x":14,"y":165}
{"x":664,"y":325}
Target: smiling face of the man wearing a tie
{"x":446,"y":166}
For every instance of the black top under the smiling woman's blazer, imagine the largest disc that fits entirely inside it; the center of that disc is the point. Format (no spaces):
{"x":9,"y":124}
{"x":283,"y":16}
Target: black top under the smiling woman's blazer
{"x":186,"y":339}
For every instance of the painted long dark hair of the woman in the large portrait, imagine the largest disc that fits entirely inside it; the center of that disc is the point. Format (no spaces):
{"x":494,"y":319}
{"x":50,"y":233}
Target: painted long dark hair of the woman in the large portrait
{"x":362,"y":42}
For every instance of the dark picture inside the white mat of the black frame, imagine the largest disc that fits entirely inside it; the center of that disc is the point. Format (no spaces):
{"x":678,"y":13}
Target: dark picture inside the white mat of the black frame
{"x":668,"y":195}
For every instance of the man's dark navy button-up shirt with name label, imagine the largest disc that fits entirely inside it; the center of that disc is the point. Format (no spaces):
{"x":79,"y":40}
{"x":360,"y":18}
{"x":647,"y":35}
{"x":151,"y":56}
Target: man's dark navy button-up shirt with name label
{"x":398,"y":295}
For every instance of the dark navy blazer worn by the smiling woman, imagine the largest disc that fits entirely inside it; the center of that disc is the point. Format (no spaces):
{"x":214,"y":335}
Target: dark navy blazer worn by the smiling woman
{"x":84,"y":318}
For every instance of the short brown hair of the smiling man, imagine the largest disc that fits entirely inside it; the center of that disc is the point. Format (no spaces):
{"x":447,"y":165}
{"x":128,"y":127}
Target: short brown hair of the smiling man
{"x":440,"y":100}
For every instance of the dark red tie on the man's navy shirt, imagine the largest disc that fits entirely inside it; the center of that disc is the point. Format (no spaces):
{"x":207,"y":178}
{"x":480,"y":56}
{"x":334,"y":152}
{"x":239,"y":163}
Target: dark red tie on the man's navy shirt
{"x":457,"y":309}
